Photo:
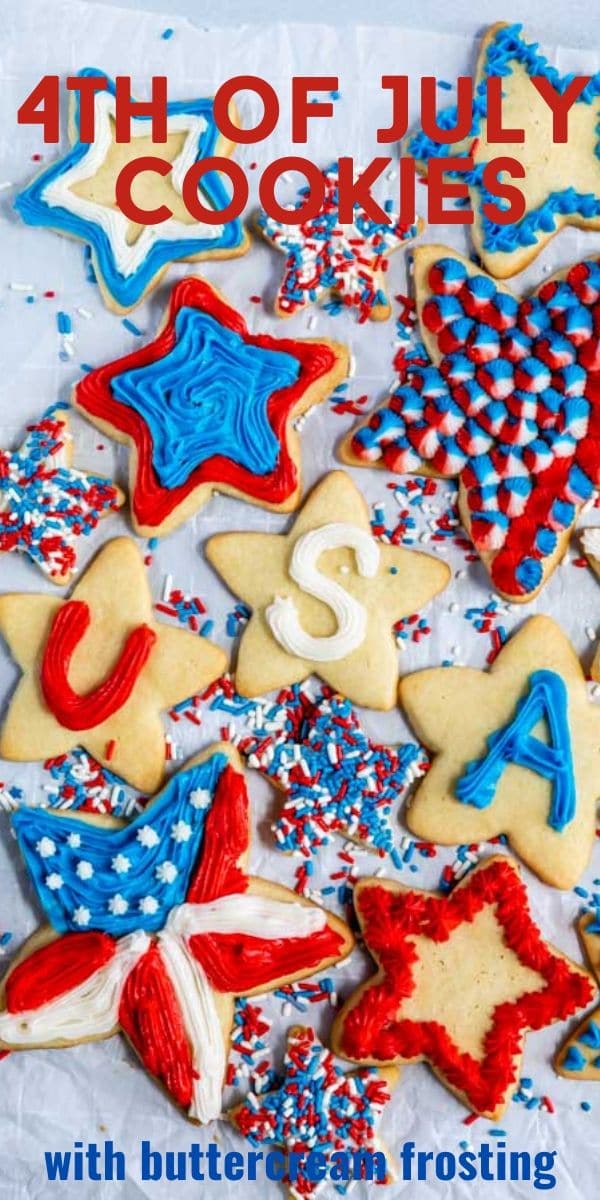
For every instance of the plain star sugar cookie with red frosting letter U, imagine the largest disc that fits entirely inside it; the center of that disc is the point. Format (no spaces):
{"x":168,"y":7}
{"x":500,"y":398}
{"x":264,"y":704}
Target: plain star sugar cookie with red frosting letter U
{"x":98,"y":670}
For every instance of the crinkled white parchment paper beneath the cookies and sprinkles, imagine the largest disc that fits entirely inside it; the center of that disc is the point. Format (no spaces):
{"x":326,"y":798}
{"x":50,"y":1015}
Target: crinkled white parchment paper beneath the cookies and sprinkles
{"x":93,"y":1093}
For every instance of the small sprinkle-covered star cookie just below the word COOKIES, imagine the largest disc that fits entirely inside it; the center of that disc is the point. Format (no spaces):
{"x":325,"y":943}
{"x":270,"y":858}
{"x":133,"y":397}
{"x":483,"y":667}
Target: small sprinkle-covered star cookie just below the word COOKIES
{"x":323,"y":256}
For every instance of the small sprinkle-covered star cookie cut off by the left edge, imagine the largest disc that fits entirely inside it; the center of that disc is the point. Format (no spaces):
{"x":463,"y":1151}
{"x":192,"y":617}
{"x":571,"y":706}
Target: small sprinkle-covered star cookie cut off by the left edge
{"x":45,"y":505}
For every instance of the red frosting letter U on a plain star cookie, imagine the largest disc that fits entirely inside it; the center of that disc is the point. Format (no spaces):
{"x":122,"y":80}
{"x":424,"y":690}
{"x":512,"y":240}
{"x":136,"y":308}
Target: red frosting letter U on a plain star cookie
{"x":74,"y":711}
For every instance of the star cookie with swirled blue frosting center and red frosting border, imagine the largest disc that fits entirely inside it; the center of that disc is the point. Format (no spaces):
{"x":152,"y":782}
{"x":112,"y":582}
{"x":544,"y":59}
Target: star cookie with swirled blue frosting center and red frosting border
{"x":208,"y":405}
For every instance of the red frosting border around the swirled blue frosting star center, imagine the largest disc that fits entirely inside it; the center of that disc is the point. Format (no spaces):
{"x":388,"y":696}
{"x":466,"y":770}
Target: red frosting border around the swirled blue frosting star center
{"x":153,"y":503}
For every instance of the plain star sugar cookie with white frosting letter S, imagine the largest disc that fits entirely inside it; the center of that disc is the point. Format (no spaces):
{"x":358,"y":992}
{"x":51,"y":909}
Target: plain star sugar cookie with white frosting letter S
{"x":325,"y":598}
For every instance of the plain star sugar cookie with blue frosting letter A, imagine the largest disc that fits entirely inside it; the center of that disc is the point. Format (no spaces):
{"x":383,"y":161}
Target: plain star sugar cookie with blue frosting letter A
{"x":517,"y":752}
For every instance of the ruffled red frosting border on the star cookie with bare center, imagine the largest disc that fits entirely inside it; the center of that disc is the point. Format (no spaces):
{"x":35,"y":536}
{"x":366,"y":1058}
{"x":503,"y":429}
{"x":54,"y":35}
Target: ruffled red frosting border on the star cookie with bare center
{"x":374,"y":1031}
